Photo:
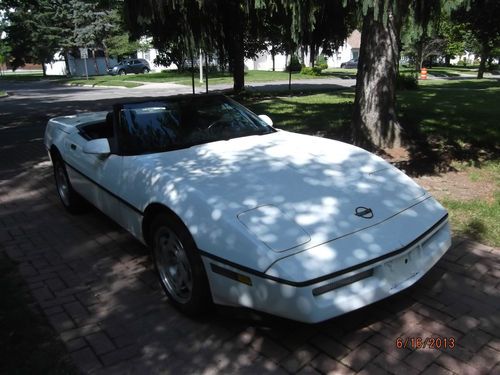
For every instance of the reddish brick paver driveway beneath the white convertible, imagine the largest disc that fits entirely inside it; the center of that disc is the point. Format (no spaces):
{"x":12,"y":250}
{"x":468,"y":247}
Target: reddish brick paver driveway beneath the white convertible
{"x":96,"y":285}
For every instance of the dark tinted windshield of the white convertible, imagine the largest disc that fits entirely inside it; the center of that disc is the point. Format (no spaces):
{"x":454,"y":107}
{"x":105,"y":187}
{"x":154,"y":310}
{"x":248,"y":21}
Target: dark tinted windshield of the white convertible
{"x":159,"y":126}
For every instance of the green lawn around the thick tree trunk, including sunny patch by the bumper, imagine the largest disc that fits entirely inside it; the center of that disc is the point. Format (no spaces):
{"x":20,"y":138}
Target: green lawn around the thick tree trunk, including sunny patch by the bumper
{"x":463,"y":115}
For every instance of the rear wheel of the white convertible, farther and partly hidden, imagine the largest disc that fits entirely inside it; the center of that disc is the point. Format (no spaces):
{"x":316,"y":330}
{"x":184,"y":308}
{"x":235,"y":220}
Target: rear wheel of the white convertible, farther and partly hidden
{"x":71,"y":200}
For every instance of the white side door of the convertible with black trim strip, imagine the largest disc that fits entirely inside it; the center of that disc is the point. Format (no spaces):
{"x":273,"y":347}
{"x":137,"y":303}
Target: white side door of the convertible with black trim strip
{"x":96,"y":177}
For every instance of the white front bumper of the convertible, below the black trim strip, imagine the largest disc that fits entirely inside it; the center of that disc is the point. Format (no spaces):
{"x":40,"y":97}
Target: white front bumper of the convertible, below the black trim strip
{"x":318,"y":302}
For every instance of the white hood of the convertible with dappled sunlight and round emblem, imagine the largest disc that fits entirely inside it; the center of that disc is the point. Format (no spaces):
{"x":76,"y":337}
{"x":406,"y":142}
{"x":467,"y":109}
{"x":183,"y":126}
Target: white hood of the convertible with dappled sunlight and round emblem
{"x":289,"y":191}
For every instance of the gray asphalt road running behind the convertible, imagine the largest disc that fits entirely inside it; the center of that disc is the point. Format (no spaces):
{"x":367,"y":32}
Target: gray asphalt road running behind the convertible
{"x":24,"y":113}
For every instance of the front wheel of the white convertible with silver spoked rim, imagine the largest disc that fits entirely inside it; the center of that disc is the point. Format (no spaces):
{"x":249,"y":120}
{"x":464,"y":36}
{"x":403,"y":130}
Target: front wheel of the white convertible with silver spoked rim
{"x":179,"y":266}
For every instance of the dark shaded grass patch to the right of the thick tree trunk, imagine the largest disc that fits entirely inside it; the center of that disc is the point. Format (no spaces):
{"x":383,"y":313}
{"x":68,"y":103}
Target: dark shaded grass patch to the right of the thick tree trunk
{"x":462,"y":113}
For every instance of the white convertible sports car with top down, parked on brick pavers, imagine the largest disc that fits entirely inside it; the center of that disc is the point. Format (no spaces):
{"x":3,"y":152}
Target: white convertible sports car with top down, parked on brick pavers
{"x":239,"y":213}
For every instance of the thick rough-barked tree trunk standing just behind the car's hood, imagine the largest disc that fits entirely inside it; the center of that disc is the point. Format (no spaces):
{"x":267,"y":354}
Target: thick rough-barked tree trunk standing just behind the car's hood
{"x":375,"y":123}
